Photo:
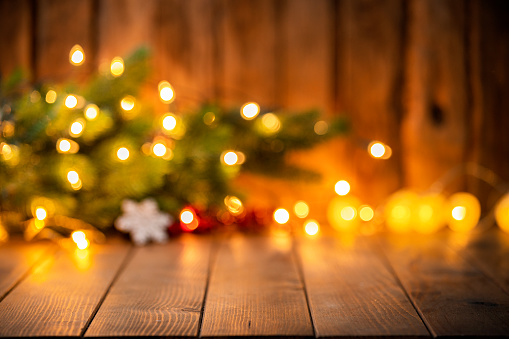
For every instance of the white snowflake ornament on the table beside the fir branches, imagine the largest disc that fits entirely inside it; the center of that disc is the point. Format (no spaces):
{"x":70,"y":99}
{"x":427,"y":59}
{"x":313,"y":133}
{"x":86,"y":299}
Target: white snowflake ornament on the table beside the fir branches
{"x":143,"y":221}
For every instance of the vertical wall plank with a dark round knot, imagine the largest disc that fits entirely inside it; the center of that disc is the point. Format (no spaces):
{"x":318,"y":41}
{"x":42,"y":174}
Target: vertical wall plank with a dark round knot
{"x":434,"y":129}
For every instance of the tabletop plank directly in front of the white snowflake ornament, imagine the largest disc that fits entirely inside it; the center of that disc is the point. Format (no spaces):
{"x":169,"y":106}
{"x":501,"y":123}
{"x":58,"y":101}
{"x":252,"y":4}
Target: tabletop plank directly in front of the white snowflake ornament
{"x":160,"y":292}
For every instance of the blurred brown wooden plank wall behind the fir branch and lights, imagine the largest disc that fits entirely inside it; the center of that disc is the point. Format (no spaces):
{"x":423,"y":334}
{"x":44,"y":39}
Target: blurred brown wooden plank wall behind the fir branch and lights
{"x":428,"y":77}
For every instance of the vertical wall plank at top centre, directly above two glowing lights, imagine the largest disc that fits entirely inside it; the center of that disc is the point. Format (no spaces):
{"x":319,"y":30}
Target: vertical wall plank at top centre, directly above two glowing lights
{"x":247,"y":43}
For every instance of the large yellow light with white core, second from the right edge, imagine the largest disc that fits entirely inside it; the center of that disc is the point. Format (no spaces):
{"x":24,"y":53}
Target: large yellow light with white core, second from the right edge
{"x":465,"y":212}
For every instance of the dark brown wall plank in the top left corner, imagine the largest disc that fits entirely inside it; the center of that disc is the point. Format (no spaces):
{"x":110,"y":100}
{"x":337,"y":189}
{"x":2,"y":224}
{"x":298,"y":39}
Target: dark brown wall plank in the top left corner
{"x":15,"y":35}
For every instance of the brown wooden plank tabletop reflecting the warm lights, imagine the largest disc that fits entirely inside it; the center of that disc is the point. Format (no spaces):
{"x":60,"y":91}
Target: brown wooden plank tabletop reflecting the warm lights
{"x":245,"y":285}
